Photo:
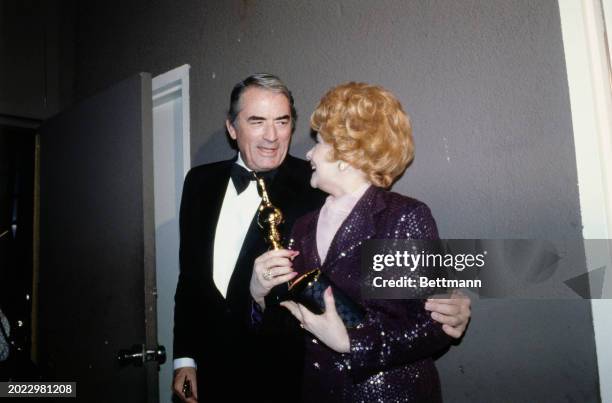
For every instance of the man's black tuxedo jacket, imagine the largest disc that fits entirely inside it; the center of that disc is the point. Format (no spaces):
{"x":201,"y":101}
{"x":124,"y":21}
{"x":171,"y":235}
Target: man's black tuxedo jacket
{"x":207,"y":327}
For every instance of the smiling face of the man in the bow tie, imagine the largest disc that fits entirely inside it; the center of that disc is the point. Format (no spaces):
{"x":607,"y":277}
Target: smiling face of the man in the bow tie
{"x":262,"y":128}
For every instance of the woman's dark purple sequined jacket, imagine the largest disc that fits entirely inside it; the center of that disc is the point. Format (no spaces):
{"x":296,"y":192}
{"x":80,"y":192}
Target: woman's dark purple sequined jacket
{"x":391,"y":352}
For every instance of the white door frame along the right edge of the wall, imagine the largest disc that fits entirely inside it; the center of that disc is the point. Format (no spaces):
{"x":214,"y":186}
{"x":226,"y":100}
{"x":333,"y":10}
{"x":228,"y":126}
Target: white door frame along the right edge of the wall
{"x":588,"y":63}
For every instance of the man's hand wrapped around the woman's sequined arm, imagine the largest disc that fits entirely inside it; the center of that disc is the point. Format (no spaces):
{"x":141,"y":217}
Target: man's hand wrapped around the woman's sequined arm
{"x":454,"y":313}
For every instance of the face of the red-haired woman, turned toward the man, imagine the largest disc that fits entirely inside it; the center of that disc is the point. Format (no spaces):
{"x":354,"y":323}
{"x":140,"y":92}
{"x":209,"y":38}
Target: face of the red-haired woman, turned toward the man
{"x":325,"y":173}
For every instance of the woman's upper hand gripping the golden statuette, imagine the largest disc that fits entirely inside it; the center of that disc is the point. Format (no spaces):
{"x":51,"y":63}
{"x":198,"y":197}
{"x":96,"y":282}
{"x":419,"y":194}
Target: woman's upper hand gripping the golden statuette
{"x":269,"y":270}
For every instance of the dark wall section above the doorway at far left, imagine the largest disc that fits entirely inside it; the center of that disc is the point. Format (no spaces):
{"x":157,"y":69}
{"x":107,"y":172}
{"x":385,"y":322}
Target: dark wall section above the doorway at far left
{"x":36,"y":38}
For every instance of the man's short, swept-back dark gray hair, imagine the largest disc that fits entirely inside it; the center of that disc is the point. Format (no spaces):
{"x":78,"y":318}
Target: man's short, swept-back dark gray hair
{"x":262,"y":80}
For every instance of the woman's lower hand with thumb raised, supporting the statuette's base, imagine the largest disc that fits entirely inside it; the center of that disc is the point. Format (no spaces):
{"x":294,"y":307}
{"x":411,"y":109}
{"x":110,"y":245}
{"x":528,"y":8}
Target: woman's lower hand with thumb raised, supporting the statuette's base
{"x":327,"y":327}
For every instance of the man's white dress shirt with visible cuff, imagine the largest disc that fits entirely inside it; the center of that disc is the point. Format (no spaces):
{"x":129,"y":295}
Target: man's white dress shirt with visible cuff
{"x":237,"y":212}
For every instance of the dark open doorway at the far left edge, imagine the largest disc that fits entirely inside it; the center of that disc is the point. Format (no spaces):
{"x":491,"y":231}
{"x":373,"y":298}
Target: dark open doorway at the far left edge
{"x":17,"y":167}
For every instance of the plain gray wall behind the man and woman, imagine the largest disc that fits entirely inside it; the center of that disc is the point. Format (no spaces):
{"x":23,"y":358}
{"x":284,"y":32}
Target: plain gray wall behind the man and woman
{"x":485,"y":84}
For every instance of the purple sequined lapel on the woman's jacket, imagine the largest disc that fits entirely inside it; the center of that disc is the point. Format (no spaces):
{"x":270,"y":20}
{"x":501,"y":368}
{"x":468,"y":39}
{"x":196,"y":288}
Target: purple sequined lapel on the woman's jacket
{"x":359,"y":226}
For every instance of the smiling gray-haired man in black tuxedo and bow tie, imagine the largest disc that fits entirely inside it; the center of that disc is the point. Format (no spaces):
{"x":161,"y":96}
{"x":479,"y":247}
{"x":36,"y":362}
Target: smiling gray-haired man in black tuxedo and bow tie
{"x":215,"y":350}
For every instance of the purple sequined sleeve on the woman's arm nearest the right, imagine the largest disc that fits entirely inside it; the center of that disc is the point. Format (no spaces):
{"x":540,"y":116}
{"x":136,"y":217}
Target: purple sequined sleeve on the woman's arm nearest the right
{"x":397,"y":332}
